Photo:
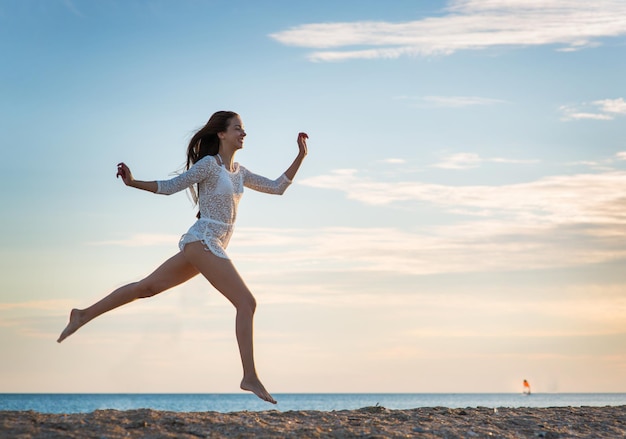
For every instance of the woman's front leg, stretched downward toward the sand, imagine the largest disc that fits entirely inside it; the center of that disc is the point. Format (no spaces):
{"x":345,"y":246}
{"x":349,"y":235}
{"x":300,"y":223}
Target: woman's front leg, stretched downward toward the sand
{"x":225,"y":278}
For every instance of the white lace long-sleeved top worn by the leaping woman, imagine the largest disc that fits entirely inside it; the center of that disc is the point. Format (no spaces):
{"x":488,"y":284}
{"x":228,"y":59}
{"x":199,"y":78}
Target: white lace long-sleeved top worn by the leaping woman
{"x":219,"y":192}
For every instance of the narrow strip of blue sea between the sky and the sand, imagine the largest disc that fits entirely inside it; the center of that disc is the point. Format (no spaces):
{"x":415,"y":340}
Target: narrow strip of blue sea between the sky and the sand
{"x":225,"y":403}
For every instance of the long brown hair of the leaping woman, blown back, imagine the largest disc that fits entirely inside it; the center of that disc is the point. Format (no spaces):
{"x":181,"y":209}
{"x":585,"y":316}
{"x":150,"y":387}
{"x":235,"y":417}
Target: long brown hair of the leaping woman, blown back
{"x":206,"y":142}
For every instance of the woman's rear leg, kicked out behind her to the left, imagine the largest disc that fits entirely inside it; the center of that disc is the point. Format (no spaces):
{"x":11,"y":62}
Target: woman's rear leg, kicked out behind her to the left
{"x":172,"y":272}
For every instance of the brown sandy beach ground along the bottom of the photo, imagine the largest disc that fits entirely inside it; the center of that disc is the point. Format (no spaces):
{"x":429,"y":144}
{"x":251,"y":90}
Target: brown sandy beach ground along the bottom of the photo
{"x":369,"y":422}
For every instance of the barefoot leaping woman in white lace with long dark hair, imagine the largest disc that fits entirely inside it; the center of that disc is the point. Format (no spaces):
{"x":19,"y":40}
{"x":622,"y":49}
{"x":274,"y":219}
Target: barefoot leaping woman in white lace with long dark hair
{"x":219,"y":181}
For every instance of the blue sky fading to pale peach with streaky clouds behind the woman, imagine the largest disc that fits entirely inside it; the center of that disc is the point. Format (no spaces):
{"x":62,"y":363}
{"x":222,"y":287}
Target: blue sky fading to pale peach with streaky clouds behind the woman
{"x":459,"y":224}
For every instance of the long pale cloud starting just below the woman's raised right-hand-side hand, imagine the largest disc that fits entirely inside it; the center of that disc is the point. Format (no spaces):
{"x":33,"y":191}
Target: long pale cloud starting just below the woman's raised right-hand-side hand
{"x":565,"y":199}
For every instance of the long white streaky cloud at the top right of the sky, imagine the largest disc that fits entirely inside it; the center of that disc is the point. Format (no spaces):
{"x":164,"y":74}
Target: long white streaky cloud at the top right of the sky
{"x":465,"y":25}
